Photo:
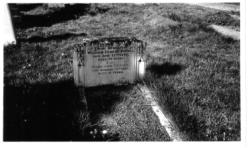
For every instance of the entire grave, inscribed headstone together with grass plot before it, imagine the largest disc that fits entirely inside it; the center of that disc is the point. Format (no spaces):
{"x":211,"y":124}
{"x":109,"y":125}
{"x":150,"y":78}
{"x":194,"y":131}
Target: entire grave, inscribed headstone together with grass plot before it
{"x":101,"y":68}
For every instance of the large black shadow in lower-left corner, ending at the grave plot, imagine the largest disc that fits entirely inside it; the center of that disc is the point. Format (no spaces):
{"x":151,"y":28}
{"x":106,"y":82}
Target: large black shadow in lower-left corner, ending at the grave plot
{"x":41,"y":112}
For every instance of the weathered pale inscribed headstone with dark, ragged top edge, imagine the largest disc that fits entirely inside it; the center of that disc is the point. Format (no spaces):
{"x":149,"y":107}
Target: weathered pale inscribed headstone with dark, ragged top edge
{"x":108,"y":61}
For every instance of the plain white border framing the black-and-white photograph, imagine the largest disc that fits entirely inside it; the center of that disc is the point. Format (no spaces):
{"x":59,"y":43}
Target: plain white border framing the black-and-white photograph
{"x":243,"y":82}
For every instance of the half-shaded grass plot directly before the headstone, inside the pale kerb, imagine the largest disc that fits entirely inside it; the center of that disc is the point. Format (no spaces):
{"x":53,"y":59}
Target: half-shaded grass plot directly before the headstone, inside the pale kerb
{"x":124,"y":113}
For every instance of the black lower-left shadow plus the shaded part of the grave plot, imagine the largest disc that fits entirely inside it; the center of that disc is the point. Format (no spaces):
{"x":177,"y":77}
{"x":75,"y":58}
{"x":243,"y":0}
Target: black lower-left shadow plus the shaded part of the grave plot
{"x":50,"y":112}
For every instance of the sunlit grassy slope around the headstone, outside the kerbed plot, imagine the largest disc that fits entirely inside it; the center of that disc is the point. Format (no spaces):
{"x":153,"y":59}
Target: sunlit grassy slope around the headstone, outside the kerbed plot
{"x":201,"y":90}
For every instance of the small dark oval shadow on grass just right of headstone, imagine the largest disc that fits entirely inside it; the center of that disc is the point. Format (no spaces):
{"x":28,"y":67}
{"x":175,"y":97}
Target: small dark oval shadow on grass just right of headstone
{"x":165,"y":69}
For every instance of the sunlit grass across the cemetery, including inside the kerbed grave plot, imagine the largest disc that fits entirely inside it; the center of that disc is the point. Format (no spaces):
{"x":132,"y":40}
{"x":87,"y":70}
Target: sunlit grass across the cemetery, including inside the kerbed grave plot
{"x":194,"y":71}
